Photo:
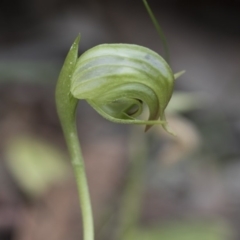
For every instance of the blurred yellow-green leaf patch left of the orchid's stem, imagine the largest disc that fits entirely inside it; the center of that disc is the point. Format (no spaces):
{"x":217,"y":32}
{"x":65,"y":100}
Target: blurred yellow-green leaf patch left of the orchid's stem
{"x":34,"y":164}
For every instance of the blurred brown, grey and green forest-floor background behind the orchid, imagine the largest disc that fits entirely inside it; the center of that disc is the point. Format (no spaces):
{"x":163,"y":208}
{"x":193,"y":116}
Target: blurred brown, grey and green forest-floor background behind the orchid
{"x":143,"y":185}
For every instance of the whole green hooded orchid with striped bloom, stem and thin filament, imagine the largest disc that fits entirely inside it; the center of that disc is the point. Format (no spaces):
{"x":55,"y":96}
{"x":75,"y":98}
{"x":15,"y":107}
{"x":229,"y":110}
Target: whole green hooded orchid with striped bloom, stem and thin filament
{"x":117,"y":80}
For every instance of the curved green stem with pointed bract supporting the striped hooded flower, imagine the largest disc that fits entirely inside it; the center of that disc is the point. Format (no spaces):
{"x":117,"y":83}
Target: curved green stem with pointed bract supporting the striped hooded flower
{"x":66,"y":109}
